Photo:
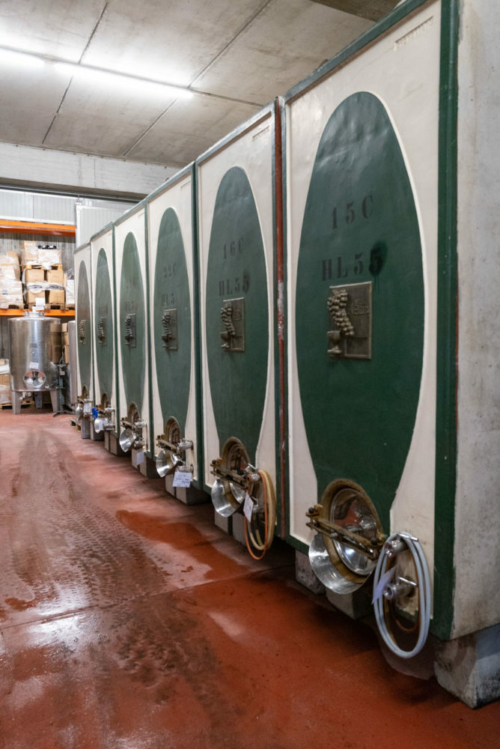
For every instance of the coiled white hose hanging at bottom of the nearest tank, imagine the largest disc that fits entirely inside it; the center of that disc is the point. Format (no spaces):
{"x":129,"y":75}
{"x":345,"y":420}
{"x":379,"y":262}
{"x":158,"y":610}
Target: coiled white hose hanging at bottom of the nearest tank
{"x":424,"y":594}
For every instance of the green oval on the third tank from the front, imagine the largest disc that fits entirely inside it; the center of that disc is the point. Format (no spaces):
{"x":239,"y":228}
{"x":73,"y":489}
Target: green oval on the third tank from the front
{"x":172,"y":321}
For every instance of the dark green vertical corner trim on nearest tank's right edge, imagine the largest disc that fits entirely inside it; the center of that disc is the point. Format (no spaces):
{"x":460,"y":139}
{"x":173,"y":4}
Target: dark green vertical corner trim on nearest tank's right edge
{"x":447,"y":380}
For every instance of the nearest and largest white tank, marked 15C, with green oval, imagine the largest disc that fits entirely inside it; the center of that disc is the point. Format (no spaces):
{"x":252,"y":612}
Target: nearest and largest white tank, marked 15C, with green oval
{"x":375,"y":416}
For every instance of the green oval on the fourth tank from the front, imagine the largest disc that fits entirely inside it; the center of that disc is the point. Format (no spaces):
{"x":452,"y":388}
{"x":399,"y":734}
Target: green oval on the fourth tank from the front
{"x":132,"y":328}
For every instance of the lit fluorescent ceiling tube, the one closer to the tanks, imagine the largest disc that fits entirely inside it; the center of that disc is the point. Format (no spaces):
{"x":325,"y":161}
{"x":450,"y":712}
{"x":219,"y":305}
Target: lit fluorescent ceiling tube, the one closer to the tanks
{"x":123,"y":80}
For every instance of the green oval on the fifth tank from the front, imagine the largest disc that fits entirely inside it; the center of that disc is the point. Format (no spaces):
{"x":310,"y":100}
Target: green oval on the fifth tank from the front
{"x":103,"y":326}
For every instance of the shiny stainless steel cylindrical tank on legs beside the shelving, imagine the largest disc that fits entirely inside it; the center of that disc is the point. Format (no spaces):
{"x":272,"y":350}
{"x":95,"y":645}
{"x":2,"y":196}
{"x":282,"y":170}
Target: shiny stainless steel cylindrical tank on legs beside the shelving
{"x":35,"y":353}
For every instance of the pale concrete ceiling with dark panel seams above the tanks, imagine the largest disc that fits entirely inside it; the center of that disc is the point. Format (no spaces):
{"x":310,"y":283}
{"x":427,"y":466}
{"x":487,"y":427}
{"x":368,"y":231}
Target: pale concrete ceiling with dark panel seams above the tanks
{"x":234,"y":55}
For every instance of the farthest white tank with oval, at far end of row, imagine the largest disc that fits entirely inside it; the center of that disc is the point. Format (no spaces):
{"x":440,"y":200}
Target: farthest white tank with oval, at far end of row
{"x":85,"y":379}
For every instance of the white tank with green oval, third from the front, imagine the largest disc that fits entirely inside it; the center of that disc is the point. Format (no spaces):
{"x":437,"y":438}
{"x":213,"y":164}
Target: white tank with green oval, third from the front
{"x":176,"y":408}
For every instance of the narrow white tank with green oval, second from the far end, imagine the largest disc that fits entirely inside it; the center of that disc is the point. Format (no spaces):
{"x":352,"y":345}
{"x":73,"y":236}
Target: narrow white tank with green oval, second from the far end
{"x":104,"y":423}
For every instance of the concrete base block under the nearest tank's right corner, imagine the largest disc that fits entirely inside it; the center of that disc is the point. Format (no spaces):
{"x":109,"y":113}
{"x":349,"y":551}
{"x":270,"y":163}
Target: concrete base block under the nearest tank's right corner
{"x":469,"y":666}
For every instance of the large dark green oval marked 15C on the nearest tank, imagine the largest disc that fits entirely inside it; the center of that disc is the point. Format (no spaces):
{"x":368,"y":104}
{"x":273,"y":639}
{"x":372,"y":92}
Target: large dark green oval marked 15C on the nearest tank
{"x":360,"y":227}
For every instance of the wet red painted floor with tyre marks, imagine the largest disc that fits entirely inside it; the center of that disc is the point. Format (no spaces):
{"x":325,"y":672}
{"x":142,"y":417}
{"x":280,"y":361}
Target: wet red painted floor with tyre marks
{"x":128,"y":621}
